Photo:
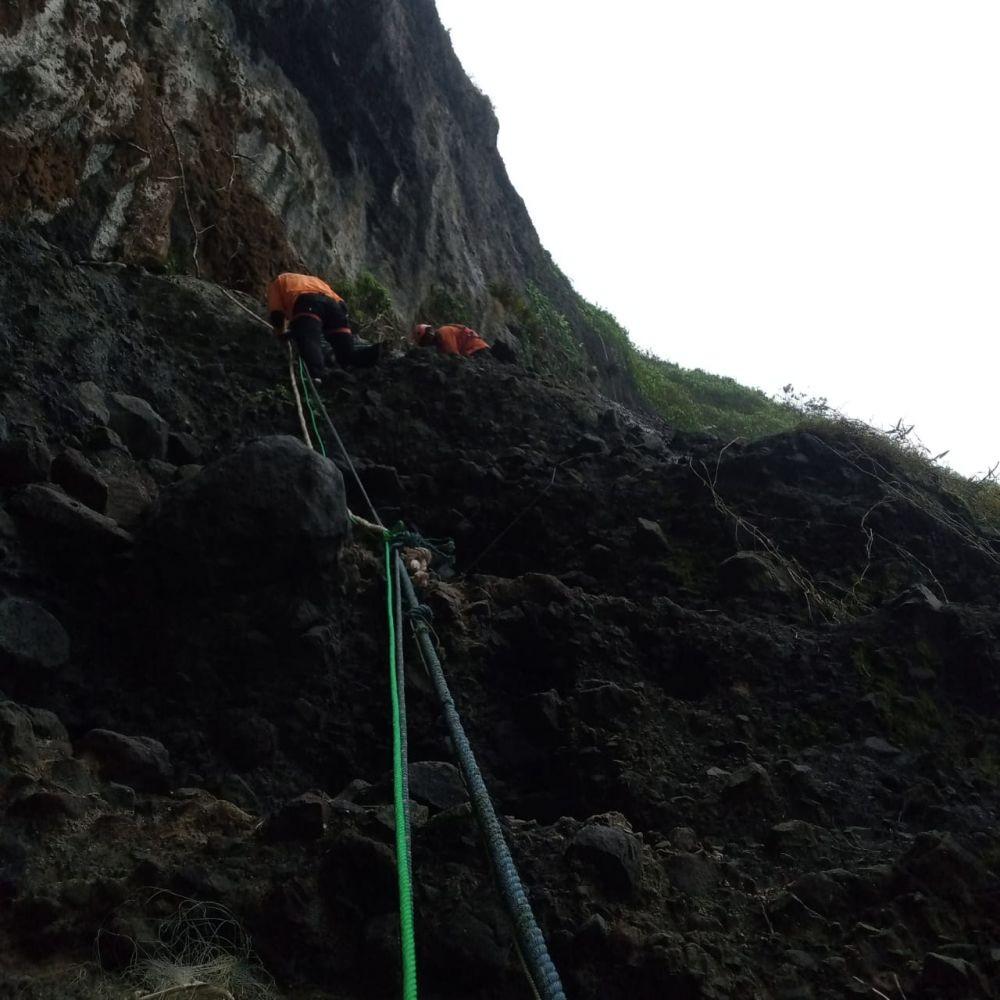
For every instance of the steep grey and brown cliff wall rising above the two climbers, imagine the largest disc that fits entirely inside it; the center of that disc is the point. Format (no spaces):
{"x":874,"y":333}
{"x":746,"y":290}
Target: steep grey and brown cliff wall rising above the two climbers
{"x":238,"y":140}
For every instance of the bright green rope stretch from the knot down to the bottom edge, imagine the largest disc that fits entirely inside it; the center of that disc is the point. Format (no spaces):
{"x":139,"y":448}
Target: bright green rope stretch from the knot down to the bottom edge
{"x":399,"y":798}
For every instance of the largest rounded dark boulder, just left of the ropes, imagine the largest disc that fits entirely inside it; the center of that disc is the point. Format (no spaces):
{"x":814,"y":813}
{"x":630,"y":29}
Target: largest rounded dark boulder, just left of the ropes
{"x":273,"y":511}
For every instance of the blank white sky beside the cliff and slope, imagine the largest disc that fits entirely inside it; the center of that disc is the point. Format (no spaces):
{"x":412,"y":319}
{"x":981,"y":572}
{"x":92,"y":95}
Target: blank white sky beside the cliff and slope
{"x":802,"y":191}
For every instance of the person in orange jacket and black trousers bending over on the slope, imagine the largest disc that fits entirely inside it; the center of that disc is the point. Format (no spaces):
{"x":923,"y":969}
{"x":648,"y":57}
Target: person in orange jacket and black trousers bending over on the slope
{"x":313,"y":310}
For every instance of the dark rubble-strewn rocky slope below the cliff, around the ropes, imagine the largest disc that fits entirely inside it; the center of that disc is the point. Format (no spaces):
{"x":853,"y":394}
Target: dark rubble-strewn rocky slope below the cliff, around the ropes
{"x":737,"y":704}
